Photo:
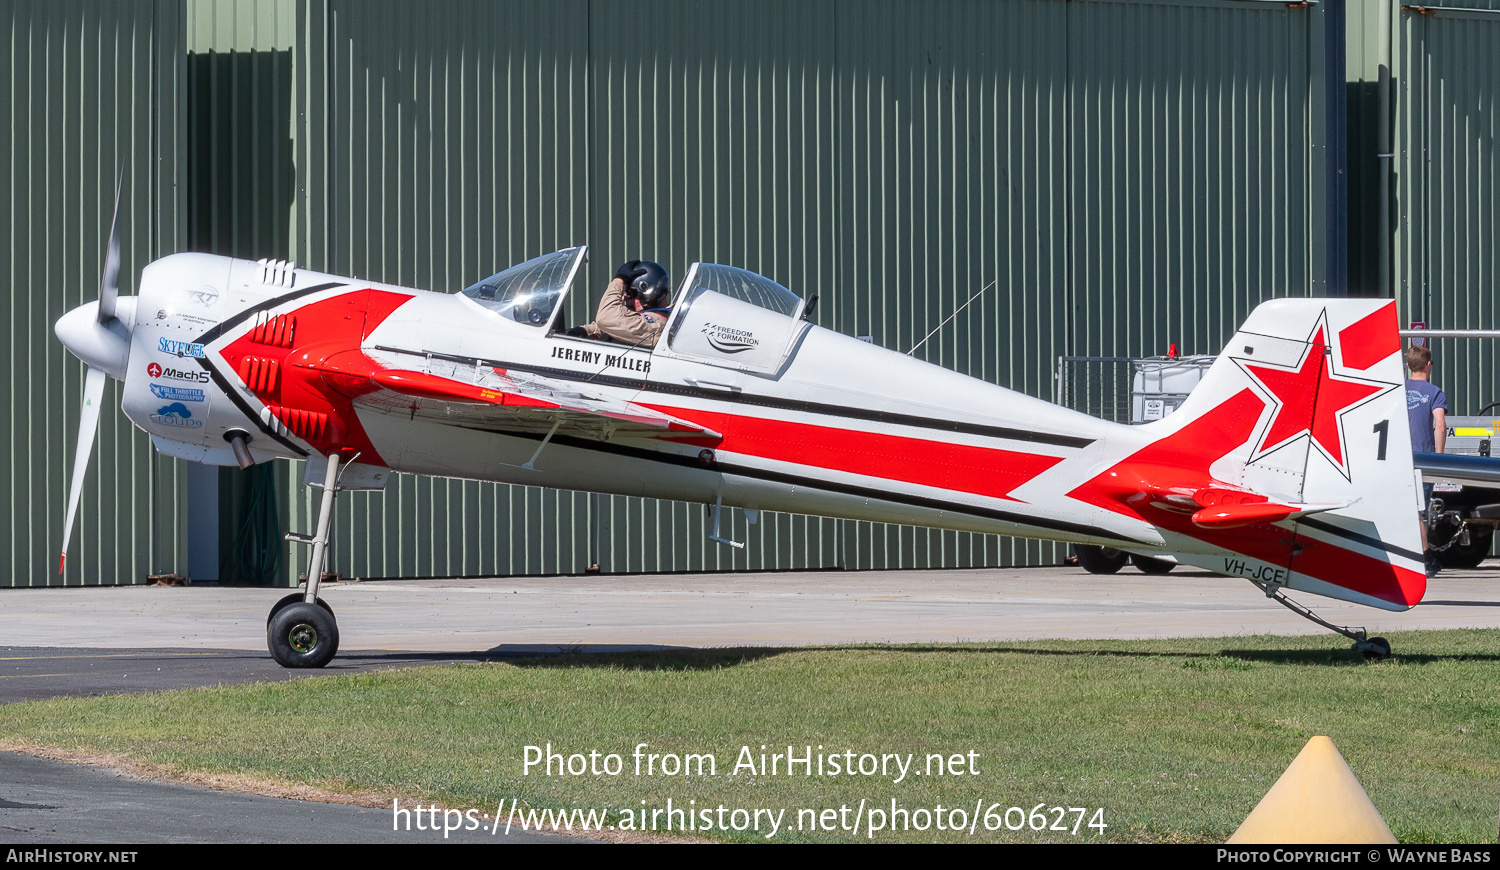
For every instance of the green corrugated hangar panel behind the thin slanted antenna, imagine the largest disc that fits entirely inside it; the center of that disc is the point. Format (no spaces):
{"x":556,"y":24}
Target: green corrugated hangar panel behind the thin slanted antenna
{"x":952,"y":134}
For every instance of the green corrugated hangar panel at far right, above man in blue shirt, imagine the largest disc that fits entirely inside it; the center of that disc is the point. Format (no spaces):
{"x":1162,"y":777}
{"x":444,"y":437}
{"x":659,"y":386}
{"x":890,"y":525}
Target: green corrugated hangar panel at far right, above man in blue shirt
{"x":1448,"y":188}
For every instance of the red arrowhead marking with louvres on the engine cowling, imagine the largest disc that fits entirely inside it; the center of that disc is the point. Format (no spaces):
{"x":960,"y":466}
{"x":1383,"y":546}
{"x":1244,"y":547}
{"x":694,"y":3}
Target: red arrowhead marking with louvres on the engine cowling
{"x":325,"y":329}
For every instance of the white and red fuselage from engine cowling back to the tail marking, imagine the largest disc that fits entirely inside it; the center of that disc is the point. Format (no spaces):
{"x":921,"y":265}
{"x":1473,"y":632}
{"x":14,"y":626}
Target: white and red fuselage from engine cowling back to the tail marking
{"x":830,"y":425}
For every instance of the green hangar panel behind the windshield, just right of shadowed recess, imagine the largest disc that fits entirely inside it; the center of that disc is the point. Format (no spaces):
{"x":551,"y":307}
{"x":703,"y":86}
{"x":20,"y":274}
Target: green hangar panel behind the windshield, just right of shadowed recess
{"x":445,"y":143}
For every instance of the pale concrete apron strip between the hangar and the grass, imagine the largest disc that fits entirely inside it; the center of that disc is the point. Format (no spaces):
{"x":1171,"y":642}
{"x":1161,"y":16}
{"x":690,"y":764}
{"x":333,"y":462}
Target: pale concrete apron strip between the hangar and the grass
{"x":526,"y":616}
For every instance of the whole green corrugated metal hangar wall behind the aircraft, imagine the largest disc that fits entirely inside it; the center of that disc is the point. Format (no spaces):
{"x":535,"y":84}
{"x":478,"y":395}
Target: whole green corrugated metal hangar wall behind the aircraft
{"x":1117,"y":175}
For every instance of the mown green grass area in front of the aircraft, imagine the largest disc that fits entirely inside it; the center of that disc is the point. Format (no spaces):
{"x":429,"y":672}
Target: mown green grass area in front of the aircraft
{"x":1175,"y":740}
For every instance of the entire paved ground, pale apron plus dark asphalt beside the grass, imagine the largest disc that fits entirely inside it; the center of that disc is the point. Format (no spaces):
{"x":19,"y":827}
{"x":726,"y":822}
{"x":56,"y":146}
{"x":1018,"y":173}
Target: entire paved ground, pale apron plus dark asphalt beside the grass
{"x":100,"y":641}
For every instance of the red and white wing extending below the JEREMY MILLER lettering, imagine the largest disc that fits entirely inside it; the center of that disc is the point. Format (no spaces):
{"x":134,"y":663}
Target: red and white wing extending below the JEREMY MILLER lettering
{"x":502,"y":401}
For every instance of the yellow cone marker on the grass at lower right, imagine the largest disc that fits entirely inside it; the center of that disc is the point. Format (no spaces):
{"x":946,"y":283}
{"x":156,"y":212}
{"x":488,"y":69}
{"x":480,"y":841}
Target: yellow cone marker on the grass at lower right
{"x":1318,"y":800}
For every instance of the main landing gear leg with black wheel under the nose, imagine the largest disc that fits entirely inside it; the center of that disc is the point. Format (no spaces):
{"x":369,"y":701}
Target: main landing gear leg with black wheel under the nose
{"x":301,"y":631}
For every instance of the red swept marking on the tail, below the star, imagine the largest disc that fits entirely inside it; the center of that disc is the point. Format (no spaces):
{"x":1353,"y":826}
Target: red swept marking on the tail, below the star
{"x":1183,"y":460}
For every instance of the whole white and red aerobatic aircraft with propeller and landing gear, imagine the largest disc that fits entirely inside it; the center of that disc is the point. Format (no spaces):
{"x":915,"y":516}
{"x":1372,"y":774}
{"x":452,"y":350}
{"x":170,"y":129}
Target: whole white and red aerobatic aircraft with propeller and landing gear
{"x":1289,"y":466}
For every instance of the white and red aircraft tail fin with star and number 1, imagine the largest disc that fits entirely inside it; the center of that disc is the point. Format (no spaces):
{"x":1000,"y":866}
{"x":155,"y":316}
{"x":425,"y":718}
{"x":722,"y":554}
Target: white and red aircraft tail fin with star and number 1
{"x":1291,"y":464}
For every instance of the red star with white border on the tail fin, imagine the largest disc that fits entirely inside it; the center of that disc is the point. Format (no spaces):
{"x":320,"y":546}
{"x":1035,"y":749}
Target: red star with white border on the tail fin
{"x":1312,"y":400}
